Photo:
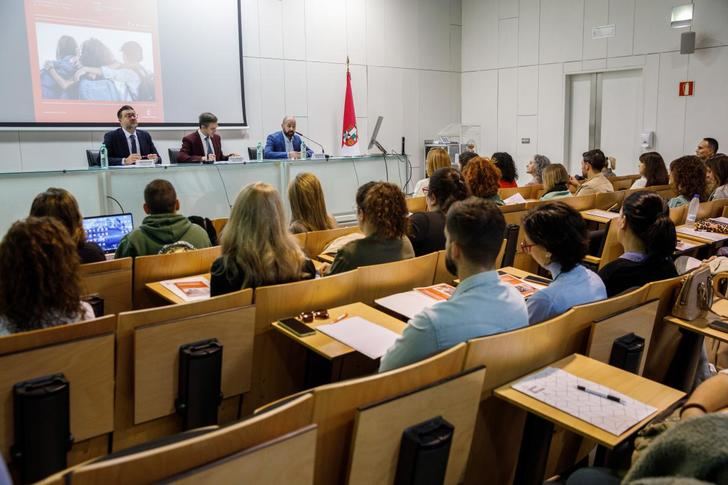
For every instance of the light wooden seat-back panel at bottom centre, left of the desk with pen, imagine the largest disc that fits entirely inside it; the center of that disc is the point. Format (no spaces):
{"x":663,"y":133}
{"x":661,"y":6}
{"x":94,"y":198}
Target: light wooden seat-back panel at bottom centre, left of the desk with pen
{"x":378,"y":427}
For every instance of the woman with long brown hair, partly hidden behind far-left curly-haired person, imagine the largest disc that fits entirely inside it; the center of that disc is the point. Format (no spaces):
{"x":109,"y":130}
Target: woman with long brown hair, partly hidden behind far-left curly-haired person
{"x":62,"y":205}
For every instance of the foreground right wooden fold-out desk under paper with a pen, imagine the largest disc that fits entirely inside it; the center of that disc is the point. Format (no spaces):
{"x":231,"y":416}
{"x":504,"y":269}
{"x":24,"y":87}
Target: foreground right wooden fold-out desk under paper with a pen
{"x":542,"y":417}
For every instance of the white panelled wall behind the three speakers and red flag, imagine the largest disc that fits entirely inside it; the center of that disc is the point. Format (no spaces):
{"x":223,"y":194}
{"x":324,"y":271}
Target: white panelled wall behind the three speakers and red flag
{"x":405,"y":65}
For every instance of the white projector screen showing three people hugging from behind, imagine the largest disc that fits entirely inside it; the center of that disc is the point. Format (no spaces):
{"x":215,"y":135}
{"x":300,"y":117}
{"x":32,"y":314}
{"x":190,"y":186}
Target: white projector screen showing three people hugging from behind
{"x":75,"y":62}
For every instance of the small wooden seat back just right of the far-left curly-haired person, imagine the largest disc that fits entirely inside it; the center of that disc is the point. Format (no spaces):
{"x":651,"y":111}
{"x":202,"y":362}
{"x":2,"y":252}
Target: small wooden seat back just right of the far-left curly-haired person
{"x":111,"y":281}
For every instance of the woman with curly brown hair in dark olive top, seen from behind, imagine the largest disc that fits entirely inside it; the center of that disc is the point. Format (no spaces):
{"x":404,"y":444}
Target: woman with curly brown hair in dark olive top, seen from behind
{"x":382,"y":214}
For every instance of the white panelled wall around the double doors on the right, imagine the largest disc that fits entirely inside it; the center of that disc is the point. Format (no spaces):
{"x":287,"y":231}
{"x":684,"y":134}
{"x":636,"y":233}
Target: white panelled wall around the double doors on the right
{"x":516,"y":54}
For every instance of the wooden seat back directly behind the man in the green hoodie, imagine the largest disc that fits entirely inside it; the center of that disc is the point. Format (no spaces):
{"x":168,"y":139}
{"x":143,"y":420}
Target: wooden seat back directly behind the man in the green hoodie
{"x":158,"y":267}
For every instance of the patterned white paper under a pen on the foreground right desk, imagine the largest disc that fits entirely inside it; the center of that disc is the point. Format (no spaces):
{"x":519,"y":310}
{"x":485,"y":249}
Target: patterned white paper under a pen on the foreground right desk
{"x":558,"y":388}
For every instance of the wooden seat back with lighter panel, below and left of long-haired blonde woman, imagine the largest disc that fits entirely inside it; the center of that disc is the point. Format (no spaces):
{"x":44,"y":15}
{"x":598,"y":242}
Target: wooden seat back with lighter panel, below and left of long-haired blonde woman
{"x":148,"y":342}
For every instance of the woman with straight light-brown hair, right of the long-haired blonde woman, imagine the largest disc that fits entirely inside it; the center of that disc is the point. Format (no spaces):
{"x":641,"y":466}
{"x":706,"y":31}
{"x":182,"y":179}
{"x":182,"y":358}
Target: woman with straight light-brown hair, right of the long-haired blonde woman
{"x":308,"y":207}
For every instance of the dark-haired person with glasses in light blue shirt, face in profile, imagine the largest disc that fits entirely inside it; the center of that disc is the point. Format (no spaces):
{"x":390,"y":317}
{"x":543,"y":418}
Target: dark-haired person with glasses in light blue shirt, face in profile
{"x":556,"y":238}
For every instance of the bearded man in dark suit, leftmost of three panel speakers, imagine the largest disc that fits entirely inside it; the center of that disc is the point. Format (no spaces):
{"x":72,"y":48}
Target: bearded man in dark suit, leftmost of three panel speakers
{"x":127,"y":145}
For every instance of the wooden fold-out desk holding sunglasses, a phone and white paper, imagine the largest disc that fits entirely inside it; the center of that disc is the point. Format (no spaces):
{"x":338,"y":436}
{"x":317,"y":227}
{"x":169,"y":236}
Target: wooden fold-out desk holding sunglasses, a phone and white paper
{"x":331,"y":349}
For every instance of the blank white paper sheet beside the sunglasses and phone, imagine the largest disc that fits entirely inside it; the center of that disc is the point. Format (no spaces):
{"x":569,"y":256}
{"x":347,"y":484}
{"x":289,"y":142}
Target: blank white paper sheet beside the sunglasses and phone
{"x":361,"y":335}
